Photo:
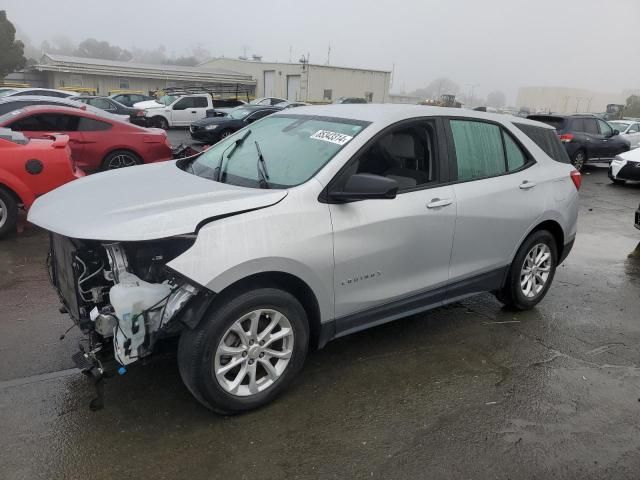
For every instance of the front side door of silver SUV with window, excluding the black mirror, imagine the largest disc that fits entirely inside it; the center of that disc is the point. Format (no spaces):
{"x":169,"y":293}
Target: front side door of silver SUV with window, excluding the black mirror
{"x":393,"y":253}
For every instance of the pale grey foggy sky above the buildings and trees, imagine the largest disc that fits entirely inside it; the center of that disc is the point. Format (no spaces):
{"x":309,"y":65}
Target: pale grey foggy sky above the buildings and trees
{"x":497,"y":44}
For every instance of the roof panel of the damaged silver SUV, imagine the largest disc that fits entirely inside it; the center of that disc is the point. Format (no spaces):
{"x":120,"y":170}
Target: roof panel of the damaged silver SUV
{"x":388,"y":113}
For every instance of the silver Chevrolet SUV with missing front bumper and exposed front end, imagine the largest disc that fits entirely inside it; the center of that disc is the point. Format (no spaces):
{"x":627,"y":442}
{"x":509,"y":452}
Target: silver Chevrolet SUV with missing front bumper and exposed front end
{"x":303,"y":227}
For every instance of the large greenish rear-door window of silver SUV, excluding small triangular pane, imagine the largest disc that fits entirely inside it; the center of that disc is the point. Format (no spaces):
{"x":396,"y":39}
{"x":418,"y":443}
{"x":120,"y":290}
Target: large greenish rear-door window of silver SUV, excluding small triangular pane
{"x":479,"y":150}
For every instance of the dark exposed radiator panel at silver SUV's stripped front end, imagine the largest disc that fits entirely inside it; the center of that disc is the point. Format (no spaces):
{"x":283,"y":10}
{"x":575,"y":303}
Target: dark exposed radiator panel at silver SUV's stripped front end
{"x":63,"y":274}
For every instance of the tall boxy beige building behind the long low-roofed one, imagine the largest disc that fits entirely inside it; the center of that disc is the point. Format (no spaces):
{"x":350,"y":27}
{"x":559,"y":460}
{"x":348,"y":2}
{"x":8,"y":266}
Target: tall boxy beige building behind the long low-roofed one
{"x":308,"y":82}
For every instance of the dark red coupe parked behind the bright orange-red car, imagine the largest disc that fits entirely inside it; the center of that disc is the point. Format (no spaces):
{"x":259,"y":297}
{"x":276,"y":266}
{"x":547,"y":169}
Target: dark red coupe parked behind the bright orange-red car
{"x":97,"y":142}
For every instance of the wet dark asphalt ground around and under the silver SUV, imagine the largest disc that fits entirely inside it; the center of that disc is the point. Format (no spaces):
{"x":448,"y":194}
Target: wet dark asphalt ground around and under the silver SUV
{"x":470,"y":391}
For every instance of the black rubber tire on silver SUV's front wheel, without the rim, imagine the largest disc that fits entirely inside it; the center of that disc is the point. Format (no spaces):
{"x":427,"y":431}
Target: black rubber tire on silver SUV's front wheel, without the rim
{"x":197,"y":349}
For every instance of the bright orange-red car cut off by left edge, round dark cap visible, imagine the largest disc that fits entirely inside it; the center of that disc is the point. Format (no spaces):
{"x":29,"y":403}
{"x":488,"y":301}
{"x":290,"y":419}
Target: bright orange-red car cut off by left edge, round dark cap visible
{"x":28,"y":169}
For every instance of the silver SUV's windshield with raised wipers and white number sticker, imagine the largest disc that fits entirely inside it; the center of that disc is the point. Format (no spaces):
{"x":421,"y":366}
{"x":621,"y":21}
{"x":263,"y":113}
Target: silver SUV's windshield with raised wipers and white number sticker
{"x":295,"y":148}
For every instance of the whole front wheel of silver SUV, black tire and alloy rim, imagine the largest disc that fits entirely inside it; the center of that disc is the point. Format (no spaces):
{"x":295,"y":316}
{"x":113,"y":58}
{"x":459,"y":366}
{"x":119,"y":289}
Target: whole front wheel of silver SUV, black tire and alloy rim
{"x":246,"y":351}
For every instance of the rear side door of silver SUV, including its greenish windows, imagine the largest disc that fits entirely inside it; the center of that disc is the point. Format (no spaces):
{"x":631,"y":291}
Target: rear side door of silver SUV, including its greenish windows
{"x":498,"y":200}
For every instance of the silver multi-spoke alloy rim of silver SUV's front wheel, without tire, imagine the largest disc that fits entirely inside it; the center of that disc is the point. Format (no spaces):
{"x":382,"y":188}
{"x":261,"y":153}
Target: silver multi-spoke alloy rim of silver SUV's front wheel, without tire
{"x":254,"y":352}
